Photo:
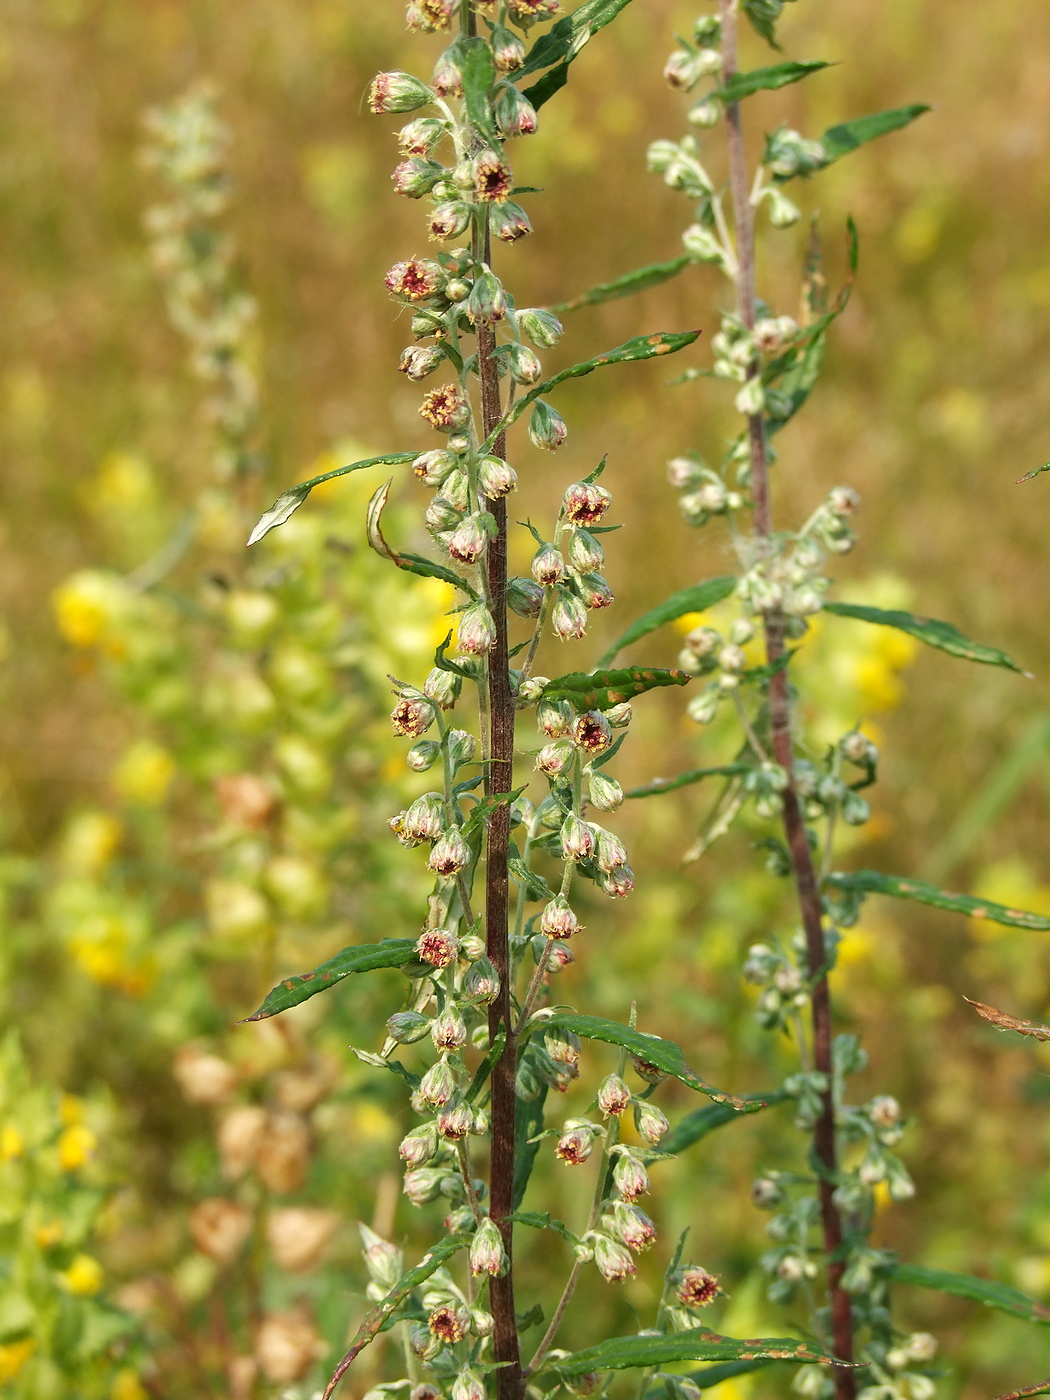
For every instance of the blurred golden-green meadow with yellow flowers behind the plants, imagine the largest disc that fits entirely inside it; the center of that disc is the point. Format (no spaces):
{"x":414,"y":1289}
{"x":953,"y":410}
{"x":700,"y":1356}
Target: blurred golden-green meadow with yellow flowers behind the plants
{"x":934,"y":401}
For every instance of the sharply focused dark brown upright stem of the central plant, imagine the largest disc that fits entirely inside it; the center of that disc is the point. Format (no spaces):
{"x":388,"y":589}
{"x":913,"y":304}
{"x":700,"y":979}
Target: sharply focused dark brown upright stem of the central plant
{"x":499,"y":773}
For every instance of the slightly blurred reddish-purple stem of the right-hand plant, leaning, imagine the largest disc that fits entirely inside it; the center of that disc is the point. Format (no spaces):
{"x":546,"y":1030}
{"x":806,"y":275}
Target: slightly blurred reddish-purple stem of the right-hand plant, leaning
{"x":780,"y":724}
